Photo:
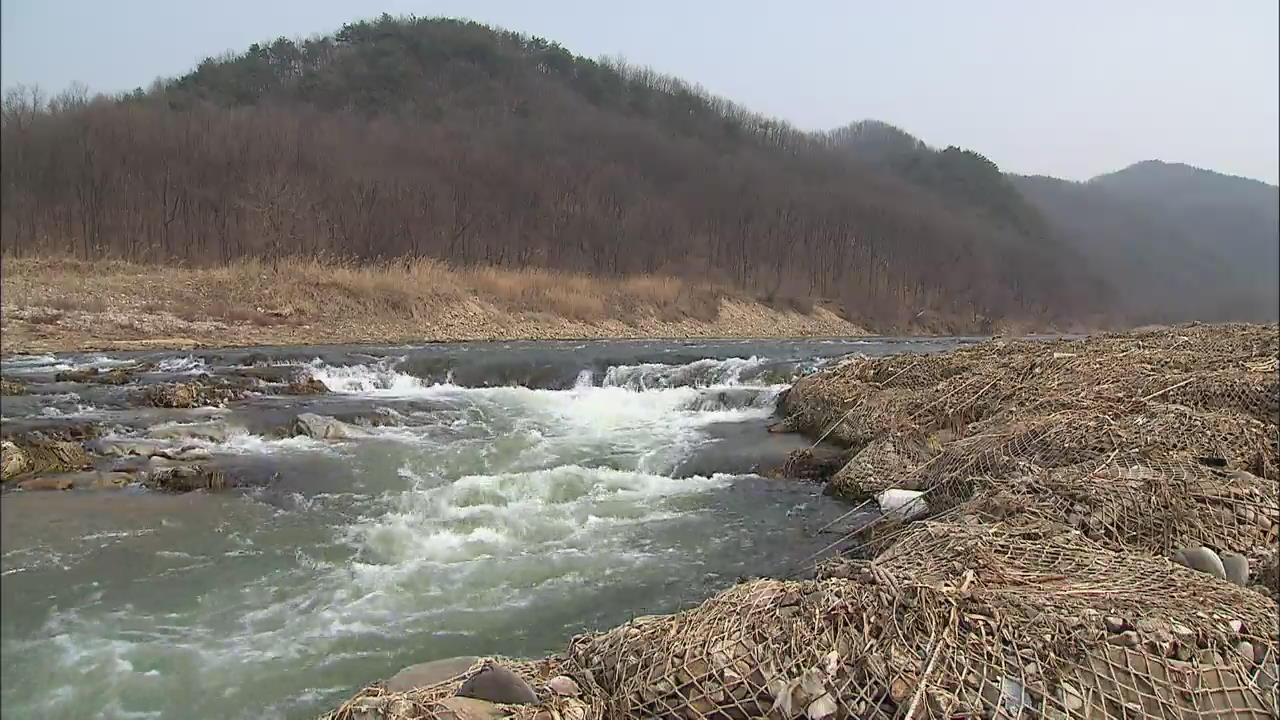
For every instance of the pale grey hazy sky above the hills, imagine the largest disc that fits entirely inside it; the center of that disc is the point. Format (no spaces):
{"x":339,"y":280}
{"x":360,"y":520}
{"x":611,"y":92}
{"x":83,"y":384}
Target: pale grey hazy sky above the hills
{"x":1066,"y":89}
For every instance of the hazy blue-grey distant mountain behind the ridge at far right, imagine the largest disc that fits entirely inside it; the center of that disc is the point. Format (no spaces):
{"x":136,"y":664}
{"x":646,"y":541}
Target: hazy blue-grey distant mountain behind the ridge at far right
{"x":1176,"y":243}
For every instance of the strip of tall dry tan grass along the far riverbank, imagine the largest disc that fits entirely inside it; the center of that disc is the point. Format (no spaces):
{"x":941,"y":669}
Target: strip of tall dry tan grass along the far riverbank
{"x":253,"y":291}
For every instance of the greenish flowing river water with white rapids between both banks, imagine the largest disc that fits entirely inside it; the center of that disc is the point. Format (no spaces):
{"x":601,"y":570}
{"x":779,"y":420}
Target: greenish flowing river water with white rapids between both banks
{"x":502,"y":499}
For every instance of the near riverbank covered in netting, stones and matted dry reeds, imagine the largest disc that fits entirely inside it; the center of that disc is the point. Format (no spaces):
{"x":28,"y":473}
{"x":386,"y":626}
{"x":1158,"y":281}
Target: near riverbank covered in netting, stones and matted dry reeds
{"x":1091,"y":532}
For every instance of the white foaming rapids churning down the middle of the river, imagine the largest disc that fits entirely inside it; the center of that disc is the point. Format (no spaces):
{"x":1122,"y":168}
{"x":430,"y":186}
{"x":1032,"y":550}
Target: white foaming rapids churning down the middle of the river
{"x":561,"y":490}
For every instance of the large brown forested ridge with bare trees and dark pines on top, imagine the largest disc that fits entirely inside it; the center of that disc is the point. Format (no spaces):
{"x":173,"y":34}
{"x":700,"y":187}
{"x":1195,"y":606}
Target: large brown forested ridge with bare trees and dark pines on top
{"x":446,"y":139}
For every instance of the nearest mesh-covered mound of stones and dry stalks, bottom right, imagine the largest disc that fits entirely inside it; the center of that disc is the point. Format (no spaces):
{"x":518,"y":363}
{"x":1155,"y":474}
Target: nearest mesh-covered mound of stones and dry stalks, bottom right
{"x":975,"y":621}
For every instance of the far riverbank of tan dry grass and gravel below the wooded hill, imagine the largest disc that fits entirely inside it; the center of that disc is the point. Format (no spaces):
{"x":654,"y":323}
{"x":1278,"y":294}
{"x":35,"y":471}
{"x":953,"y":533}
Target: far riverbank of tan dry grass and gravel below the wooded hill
{"x":67,"y":306}
